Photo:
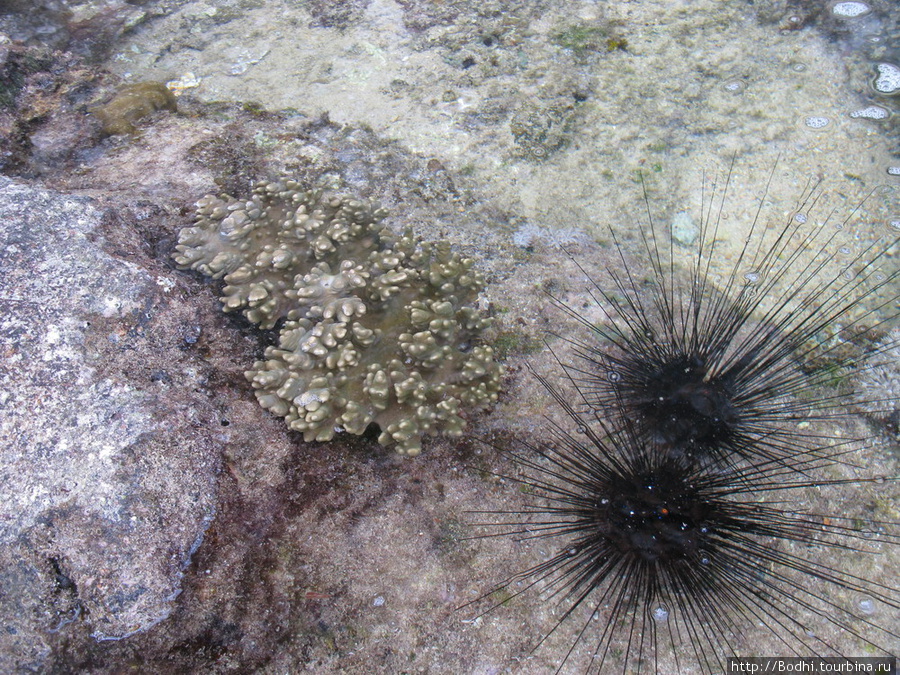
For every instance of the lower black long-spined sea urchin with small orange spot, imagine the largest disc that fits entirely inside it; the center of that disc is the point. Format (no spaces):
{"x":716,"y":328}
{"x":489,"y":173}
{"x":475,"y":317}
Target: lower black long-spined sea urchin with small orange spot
{"x":664,"y":565}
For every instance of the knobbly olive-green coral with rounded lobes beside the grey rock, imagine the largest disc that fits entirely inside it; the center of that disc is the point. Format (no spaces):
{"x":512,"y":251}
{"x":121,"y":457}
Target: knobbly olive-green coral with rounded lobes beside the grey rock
{"x":377,"y":327}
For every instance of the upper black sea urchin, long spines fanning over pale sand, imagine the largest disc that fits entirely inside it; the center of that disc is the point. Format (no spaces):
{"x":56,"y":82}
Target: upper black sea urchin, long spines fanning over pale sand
{"x":725,"y":370}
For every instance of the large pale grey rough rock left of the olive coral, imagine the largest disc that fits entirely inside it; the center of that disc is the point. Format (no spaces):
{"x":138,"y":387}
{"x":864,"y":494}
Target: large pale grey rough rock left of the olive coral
{"x":107,"y":481}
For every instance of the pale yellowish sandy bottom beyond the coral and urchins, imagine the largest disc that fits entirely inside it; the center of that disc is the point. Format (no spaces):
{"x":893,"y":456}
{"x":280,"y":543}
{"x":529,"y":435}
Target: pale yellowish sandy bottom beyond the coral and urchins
{"x":555,"y":107}
